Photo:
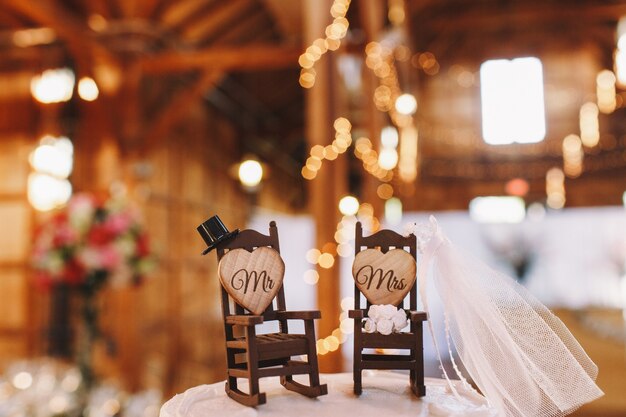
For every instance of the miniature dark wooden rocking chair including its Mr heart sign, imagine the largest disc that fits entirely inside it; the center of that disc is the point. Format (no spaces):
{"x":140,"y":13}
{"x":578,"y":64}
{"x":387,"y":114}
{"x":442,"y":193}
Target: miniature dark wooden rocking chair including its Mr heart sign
{"x":253,"y":356}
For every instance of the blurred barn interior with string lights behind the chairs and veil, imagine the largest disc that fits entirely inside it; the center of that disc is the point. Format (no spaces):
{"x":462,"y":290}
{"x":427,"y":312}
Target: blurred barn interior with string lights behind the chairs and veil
{"x":127,"y":123}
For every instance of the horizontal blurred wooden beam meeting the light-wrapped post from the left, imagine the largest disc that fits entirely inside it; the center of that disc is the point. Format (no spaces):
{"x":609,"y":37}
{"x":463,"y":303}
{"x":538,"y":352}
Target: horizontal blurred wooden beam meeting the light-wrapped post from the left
{"x":245,"y":58}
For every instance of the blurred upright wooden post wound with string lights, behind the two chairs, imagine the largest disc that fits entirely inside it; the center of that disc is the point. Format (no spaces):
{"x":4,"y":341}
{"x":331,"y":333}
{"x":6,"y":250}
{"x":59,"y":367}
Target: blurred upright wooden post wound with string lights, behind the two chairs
{"x":326,"y":188}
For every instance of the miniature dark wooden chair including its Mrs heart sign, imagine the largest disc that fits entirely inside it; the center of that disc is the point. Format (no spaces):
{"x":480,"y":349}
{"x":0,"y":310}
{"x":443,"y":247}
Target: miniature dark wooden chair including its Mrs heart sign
{"x":381,"y":278}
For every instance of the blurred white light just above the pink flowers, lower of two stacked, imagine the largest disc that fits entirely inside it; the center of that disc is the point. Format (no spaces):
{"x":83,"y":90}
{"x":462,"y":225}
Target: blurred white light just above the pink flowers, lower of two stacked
{"x":46,"y":192}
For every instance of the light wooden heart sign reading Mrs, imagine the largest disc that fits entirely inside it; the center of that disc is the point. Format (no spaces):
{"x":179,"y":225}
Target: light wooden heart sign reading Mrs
{"x":384,"y":278}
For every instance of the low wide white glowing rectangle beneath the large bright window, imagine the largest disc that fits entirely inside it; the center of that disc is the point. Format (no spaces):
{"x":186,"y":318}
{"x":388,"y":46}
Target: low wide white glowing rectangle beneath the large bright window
{"x":497,"y":209}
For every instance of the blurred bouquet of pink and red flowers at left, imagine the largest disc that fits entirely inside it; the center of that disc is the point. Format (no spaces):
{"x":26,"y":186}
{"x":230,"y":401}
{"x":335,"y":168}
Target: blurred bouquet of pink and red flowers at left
{"x":90,"y":242}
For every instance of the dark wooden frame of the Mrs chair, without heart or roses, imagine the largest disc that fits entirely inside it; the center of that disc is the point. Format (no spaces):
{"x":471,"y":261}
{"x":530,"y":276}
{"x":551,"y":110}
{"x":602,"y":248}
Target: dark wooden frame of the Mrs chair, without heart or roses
{"x":412,"y":340}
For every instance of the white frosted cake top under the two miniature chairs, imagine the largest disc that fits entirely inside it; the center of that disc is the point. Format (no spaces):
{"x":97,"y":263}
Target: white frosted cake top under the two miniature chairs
{"x":384,"y":394}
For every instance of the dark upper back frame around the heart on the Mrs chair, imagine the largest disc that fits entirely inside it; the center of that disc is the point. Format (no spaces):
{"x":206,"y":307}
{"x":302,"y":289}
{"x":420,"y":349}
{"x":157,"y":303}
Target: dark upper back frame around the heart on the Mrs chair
{"x":385,"y":240}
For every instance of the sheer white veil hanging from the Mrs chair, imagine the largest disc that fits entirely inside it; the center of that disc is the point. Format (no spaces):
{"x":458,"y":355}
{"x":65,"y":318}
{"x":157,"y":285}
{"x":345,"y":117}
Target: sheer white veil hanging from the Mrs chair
{"x":522,"y":357}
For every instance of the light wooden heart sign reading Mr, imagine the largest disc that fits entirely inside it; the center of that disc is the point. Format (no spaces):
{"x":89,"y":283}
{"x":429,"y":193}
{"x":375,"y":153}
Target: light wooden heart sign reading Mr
{"x":252,"y":278}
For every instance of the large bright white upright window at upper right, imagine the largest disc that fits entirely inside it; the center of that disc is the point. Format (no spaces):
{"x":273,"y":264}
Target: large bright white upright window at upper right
{"x":512,"y":101}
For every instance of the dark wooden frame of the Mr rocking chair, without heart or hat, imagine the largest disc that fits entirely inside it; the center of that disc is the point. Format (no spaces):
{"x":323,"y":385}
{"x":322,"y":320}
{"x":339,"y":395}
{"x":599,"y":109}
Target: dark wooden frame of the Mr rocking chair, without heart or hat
{"x":253,"y":356}
